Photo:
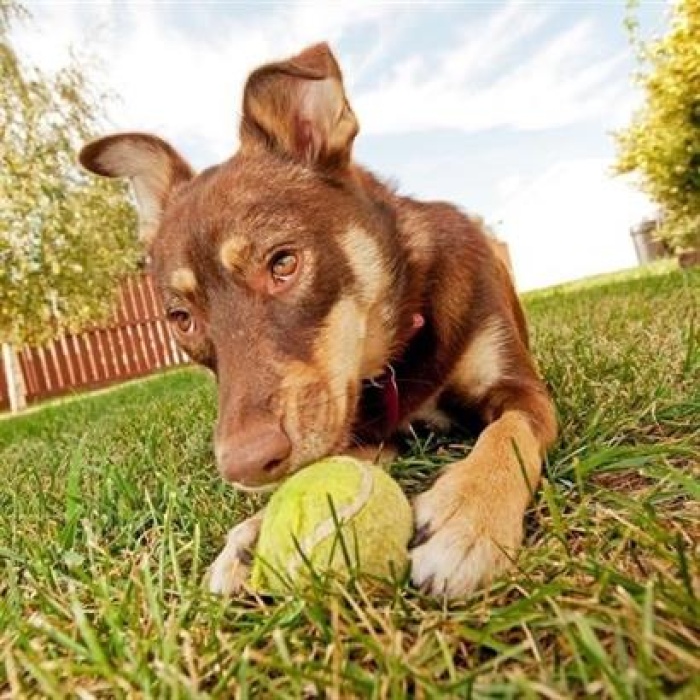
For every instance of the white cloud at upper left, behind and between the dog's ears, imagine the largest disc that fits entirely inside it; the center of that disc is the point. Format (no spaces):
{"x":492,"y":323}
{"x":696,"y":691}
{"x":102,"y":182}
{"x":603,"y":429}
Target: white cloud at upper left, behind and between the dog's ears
{"x":185,"y":86}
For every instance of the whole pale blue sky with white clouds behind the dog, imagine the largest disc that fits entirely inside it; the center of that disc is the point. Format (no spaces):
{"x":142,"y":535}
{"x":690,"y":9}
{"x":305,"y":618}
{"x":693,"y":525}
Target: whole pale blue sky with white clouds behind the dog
{"x":505,"y":108}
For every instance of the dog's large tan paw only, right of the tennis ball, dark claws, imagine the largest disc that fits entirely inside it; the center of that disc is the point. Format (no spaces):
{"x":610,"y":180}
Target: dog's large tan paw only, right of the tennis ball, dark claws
{"x":465,"y":536}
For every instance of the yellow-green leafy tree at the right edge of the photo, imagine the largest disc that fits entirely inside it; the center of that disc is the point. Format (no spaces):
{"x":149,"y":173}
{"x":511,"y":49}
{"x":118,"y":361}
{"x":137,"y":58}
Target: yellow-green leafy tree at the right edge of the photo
{"x":662,"y":143}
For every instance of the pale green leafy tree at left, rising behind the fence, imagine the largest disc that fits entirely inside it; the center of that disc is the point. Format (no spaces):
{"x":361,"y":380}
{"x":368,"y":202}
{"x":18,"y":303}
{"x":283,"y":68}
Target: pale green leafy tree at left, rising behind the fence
{"x":65,"y":237}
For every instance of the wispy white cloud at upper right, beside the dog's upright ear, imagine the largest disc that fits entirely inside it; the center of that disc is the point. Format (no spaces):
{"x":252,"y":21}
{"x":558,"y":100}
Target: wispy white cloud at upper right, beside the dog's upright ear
{"x":474,"y":86}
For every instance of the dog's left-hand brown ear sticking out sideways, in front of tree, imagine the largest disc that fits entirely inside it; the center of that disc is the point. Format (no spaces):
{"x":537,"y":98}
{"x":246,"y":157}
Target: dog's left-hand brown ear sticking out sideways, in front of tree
{"x":153,"y":166}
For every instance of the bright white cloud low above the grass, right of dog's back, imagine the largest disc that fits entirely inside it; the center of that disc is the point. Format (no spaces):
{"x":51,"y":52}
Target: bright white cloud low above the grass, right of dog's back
{"x":572,"y":222}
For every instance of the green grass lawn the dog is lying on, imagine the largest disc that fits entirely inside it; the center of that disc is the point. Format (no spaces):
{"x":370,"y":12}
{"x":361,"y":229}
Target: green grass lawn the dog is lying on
{"x":110,"y":511}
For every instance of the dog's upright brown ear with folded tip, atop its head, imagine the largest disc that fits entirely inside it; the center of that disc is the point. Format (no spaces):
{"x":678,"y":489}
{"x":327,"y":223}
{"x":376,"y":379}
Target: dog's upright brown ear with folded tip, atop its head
{"x":299,"y":108}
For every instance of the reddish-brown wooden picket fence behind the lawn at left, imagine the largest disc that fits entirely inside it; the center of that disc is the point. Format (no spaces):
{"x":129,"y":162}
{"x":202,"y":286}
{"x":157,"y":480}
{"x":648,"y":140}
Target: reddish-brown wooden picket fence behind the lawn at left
{"x":136,"y":342}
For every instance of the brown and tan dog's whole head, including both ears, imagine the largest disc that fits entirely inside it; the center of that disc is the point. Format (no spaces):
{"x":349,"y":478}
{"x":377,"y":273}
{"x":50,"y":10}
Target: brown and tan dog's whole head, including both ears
{"x":274,"y":267}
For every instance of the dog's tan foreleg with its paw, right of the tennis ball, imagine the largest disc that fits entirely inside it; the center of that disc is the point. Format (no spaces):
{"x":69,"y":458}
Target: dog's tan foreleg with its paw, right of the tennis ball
{"x":470,"y":523}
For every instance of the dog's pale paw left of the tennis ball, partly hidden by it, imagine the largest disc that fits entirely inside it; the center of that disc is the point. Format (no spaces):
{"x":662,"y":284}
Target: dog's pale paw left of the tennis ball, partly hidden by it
{"x":230,"y":571}
